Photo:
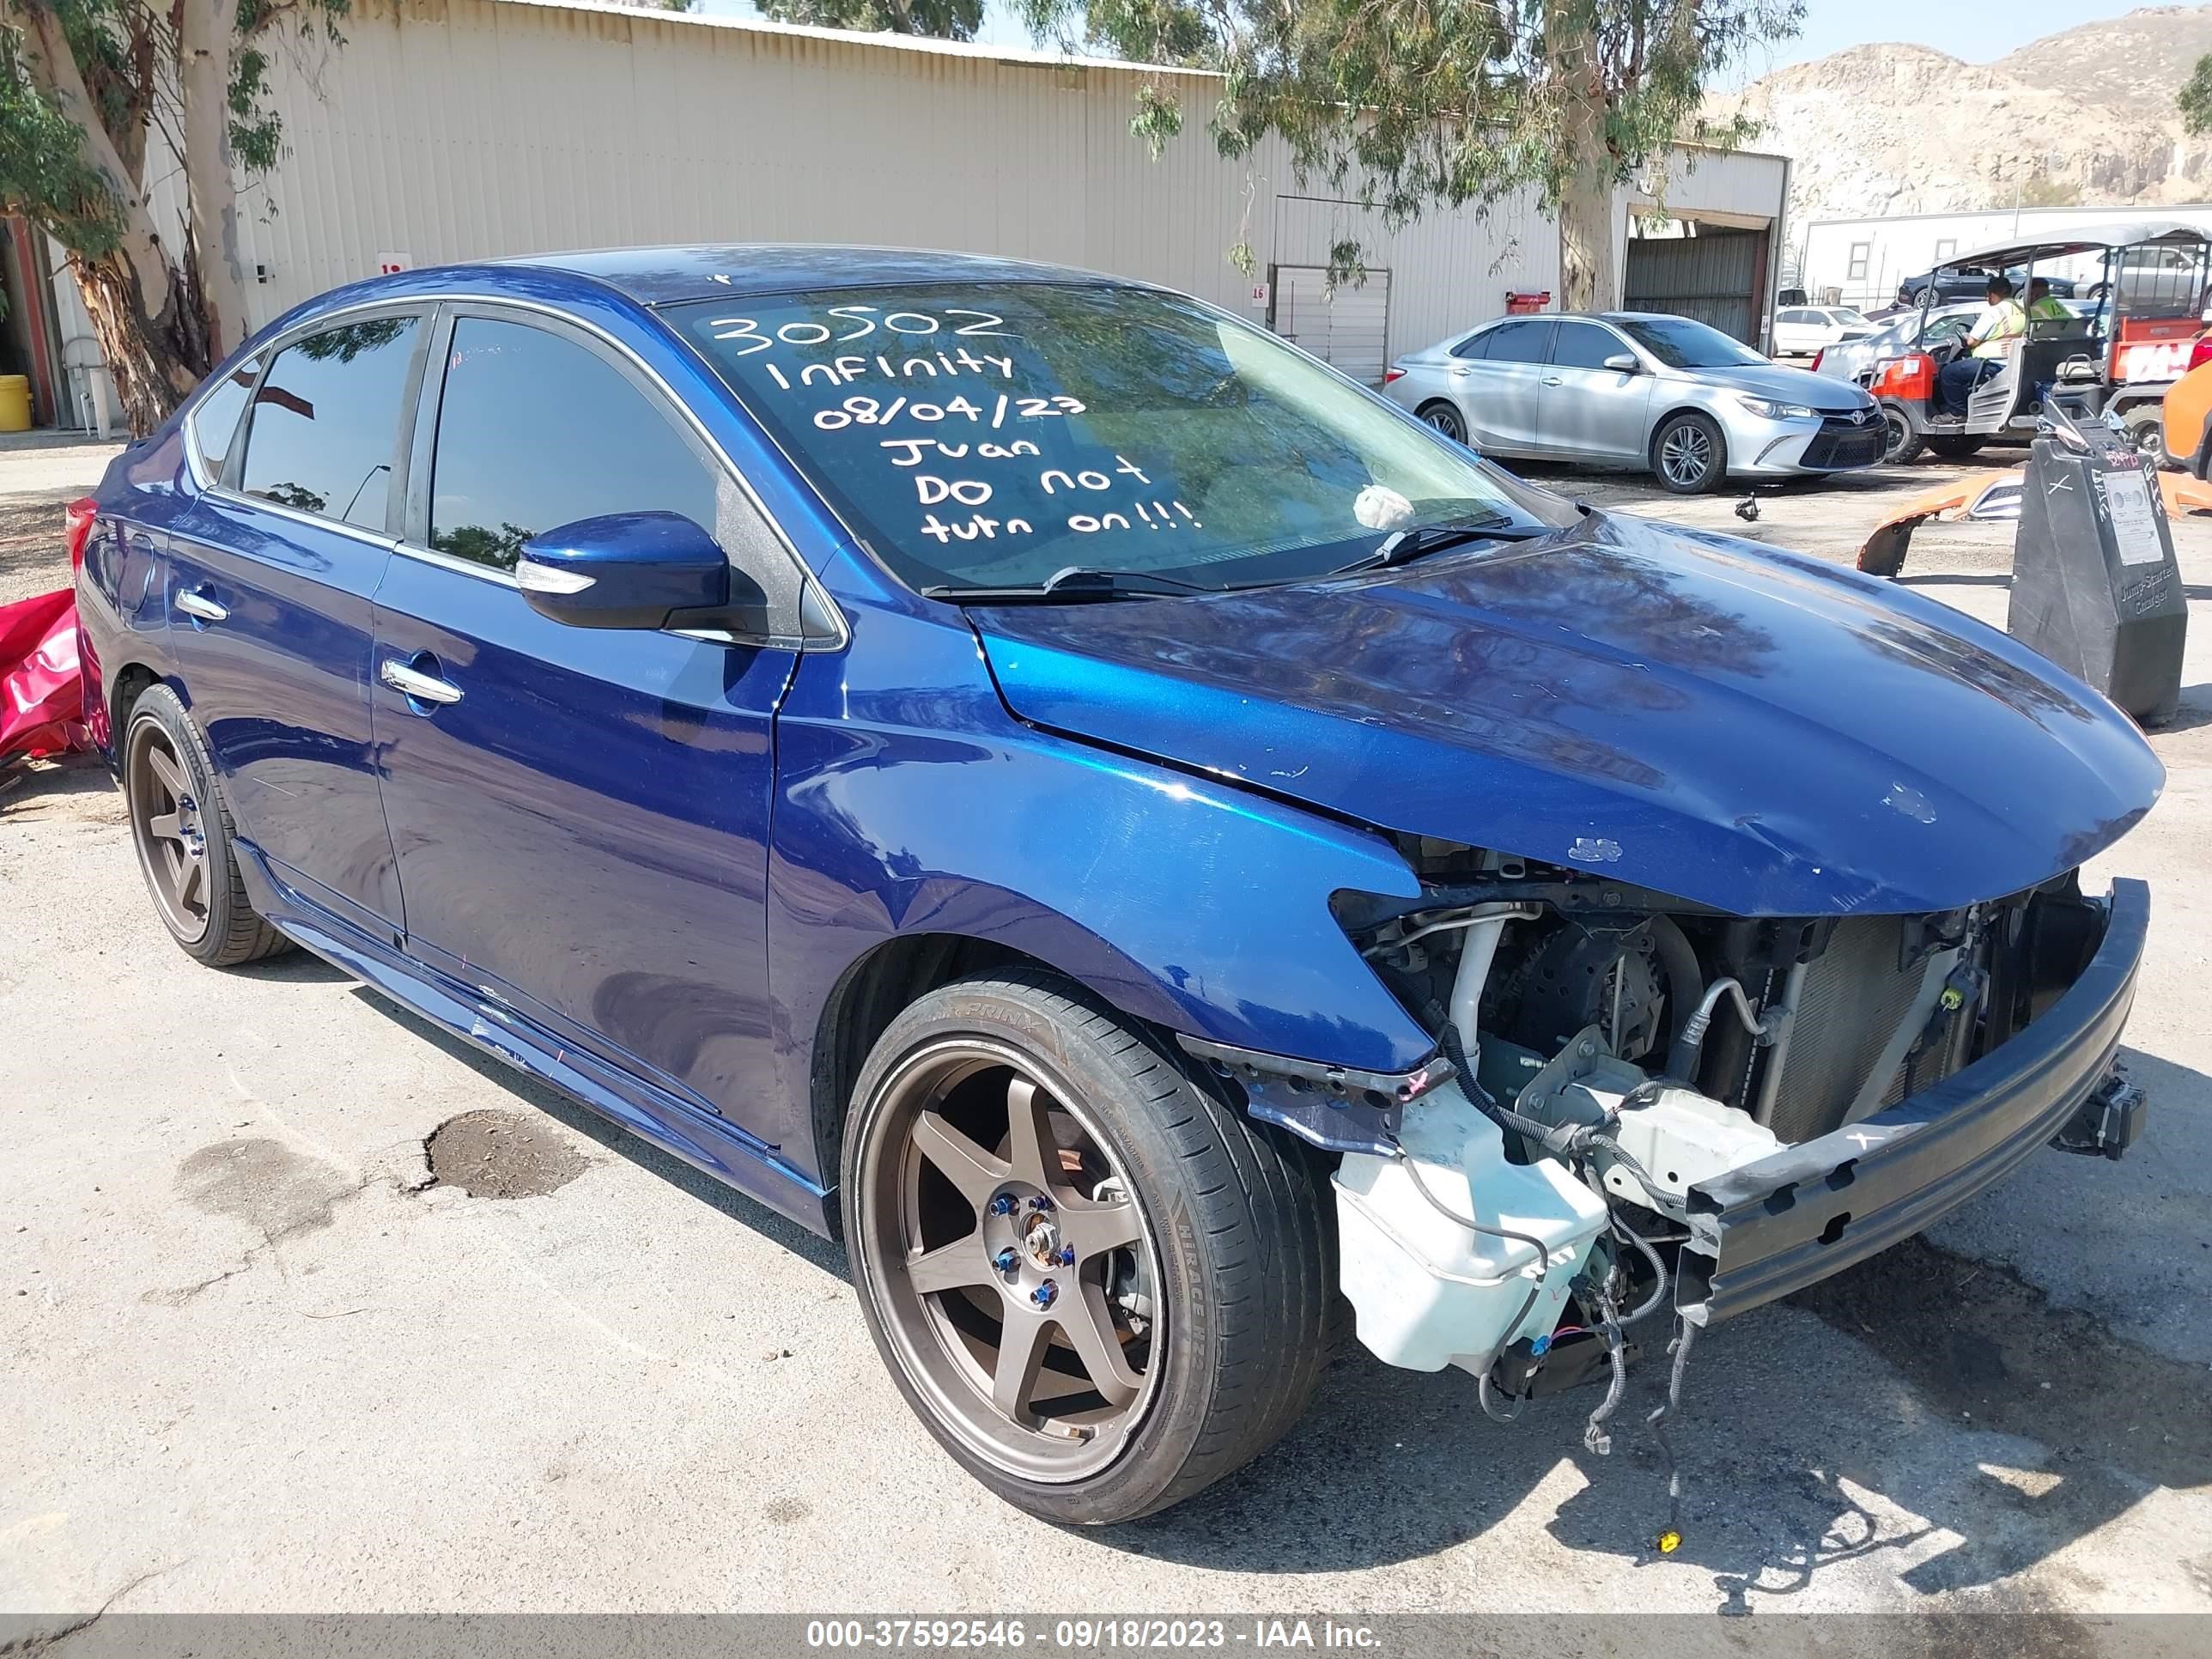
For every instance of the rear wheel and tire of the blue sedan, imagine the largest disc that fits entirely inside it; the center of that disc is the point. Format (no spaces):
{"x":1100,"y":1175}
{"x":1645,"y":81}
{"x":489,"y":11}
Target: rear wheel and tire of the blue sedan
{"x":182,"y":831}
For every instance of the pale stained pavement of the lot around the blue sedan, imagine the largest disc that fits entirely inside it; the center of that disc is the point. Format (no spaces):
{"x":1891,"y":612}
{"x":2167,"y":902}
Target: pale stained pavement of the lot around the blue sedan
{"x":264,"y":1350}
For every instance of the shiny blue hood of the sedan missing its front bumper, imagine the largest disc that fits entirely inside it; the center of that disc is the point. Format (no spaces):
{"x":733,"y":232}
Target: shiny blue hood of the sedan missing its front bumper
{"x":1744,"y":729}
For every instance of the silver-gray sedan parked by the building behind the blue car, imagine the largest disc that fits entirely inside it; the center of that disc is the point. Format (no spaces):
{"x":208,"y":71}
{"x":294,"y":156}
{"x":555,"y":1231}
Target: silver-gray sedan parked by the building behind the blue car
{"x":1640,"y":390}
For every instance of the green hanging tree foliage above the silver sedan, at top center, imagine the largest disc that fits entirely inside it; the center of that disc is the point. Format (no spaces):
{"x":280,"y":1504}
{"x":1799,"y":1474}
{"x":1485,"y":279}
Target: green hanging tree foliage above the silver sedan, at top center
{"x":1401,"y":105}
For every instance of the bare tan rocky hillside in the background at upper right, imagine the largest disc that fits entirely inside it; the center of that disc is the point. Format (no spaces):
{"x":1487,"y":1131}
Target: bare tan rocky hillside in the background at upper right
{"x":2078,"y":118}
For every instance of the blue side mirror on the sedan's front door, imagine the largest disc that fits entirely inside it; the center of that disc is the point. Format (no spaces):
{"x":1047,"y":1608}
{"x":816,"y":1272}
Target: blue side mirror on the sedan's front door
{"x":638,"y":572}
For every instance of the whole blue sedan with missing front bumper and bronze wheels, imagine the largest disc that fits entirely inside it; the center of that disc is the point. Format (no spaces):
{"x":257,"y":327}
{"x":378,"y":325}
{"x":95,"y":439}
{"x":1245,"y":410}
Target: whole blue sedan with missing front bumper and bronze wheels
{"x":1125,"y":826}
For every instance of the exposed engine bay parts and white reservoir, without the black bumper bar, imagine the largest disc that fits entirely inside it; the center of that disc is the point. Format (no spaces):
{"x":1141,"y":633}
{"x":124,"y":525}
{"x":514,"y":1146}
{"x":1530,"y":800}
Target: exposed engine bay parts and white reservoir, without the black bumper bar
{"x":1611,"y":1052}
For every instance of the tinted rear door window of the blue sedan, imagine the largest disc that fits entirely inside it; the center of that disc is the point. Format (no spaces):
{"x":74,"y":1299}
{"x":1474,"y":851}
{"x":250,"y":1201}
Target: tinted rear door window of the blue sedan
{"x":324,"y":428}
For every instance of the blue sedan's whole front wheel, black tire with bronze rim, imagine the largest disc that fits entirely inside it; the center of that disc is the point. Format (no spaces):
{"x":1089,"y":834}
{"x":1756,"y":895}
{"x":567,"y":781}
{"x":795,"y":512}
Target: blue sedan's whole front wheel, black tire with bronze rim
{"x":1229,"y":1251}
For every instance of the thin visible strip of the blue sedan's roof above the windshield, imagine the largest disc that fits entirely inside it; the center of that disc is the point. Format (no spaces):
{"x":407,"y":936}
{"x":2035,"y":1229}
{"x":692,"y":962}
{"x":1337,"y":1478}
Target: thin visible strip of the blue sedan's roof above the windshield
{"x":709,"y":271}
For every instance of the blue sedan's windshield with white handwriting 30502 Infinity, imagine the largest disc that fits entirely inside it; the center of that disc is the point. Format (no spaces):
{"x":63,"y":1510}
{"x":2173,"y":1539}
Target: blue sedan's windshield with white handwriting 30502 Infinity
{"x":997,"y":437}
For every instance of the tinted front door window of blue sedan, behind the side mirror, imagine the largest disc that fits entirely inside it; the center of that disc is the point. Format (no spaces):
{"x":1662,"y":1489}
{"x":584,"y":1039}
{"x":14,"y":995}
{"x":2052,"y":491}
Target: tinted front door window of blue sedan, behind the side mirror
{"x":536,"y":432}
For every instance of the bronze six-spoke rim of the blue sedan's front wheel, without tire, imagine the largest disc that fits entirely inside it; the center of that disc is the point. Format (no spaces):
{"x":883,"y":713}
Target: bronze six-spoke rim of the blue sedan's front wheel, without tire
{"x":1010,"y":1260}
